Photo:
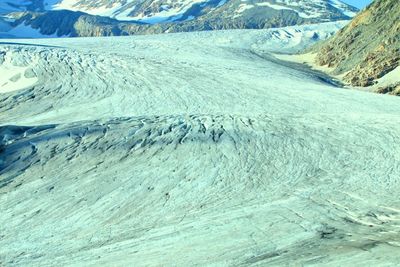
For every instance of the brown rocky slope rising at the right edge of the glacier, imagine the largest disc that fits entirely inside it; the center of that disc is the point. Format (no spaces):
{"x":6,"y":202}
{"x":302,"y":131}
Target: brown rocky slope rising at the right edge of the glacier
{"x":368,"y":49}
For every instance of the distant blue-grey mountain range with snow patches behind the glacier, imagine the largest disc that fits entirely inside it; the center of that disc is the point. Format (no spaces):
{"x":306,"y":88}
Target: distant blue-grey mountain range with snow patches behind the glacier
{"x":43,"y":18}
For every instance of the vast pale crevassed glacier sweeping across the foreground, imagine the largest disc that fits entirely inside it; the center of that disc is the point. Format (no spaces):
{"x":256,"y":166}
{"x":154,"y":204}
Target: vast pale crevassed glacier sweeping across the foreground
{"x":194,"y":149}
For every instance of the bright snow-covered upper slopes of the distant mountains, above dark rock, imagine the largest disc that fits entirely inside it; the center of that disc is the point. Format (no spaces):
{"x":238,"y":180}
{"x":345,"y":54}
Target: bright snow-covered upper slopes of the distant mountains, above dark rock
{"x":156,"y":11}
